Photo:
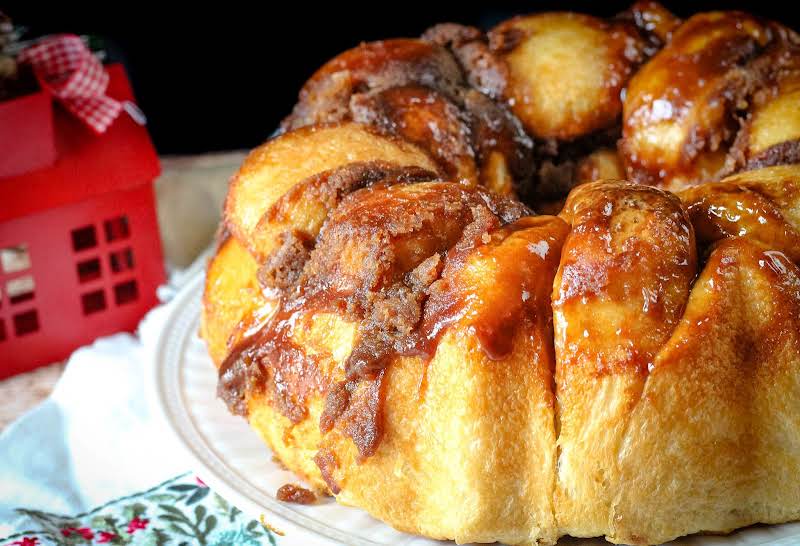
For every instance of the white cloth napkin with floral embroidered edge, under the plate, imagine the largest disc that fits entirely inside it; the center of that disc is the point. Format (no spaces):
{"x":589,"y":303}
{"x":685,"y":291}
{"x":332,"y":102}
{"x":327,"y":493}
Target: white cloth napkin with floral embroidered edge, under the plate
{"x":90,"y":465}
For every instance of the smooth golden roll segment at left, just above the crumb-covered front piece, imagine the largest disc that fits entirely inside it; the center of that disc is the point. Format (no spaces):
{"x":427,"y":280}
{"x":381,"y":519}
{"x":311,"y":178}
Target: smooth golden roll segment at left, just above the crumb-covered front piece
{"x":278,"y":178}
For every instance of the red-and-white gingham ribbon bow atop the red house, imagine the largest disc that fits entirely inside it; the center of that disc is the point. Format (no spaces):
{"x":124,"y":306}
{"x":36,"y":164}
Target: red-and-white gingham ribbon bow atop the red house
{"x":66,"y":68}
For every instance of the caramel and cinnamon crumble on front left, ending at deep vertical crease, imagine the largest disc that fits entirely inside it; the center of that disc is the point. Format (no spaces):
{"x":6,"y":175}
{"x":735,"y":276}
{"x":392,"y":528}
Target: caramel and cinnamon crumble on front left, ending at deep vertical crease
{"x":438,"y":285}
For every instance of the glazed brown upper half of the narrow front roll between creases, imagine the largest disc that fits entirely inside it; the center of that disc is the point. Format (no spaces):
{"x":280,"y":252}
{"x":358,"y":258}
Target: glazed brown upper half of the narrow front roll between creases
{"x":625,"y":275}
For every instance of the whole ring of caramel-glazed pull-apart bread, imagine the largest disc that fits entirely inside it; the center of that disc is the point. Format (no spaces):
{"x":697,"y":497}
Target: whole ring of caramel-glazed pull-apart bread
{"x":397,"y":323}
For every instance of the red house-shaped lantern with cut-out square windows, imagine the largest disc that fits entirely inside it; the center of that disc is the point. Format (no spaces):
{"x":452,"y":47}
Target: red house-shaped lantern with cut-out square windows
{"x":80,"y":254}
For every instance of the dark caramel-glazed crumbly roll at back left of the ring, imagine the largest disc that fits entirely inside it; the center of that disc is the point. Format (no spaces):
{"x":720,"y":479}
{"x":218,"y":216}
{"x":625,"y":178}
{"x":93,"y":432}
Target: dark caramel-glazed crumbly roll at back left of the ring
{"x":416,"y":90}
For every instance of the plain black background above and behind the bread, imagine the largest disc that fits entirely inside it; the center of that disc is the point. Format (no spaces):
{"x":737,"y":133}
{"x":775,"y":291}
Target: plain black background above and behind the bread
{"x":222,"y":77}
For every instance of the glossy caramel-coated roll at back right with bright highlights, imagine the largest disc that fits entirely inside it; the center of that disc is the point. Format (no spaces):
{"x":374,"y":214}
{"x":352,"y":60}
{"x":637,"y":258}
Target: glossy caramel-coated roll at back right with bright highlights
{"x":695,"y":84}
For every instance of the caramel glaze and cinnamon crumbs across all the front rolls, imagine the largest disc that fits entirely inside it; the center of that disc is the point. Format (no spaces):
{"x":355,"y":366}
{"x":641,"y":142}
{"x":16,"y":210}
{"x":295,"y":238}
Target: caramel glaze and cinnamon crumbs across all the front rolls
{"x":443,"y":282}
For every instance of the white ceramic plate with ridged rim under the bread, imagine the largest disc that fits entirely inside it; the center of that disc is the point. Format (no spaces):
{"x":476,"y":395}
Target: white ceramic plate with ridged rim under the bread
{"x":231,"y":458}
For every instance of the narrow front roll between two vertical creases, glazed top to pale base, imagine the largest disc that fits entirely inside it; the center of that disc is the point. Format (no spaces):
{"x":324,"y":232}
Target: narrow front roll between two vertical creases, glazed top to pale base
{"x":625,"y":275}
